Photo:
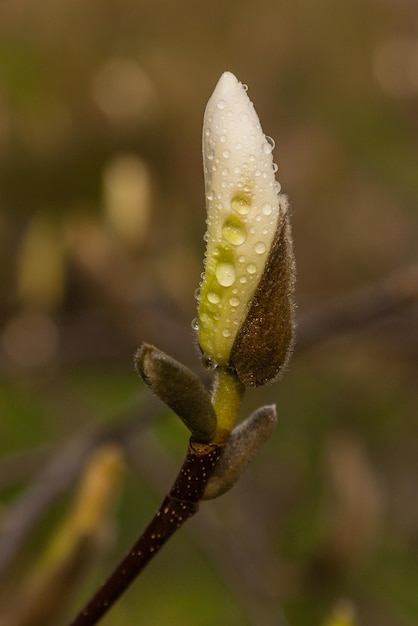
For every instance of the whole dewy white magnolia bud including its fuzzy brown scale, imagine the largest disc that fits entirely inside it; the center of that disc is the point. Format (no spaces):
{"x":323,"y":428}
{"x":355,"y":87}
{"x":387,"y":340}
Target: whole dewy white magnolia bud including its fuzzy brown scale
{"x":245,"y":313}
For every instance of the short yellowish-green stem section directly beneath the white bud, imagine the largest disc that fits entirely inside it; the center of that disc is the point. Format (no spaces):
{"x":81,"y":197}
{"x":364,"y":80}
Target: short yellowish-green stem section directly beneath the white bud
{"x":226,"y":399}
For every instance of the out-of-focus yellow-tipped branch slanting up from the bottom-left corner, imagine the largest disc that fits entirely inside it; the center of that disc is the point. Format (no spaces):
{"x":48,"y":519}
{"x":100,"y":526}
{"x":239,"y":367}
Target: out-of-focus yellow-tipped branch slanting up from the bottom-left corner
{"x":44,"y":593}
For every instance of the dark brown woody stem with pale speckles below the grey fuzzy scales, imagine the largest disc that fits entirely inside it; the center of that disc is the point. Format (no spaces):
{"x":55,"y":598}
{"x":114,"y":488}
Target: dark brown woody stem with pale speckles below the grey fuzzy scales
{"x":178,"y":506}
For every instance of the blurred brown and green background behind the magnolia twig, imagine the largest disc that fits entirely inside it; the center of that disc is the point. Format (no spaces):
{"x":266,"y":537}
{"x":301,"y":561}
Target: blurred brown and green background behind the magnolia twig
{"x":101,"y":224}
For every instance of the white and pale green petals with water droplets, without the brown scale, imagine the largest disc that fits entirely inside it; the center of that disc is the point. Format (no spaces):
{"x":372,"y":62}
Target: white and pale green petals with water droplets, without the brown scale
{"x":244,"y":214}
